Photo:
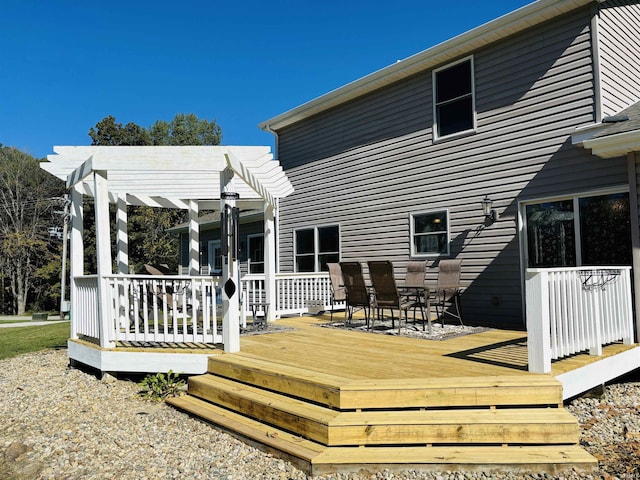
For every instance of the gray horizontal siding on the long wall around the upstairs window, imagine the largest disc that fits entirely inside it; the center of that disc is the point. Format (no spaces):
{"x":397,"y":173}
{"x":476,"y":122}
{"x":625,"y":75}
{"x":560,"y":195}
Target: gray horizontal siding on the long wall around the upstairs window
{"x":366,"y":165}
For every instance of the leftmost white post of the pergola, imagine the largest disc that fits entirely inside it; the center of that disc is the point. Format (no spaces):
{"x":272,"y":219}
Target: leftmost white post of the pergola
{"x":76,"y":257}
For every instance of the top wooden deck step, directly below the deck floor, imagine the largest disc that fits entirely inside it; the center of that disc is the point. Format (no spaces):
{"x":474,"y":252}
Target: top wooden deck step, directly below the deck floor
{"x":347,"y":393}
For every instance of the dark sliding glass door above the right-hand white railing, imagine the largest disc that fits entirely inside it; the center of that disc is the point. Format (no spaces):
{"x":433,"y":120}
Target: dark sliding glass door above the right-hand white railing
{"x":583,"y":230}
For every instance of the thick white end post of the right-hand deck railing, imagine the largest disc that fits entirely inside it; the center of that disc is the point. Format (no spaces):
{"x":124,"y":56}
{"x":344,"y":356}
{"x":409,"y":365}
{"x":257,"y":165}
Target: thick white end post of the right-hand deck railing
{"x":538,"y":337}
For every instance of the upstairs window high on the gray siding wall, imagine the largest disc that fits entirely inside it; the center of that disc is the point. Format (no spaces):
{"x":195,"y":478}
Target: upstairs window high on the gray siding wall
{"x":454,"y":104}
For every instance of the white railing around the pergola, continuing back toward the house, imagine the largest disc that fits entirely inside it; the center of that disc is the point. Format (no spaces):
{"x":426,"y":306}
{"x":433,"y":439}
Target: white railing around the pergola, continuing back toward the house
{"x":179,"y":308}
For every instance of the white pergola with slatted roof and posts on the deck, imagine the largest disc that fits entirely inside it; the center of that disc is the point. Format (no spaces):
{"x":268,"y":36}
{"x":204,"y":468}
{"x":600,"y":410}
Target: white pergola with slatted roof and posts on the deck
{"x":191,"y":178}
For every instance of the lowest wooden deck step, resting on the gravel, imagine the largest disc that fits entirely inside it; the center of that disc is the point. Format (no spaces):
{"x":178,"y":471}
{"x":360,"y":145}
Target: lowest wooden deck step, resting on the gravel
{"x":318,"y":459}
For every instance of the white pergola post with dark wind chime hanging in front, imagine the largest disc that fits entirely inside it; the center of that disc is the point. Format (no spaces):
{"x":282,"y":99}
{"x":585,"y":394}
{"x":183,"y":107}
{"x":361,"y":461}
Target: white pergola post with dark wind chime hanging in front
{"x":231,"y":288}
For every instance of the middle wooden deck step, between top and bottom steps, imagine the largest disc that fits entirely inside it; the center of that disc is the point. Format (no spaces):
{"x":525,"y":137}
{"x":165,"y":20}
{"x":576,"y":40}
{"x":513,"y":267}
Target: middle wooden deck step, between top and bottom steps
{"x":374,"y":427}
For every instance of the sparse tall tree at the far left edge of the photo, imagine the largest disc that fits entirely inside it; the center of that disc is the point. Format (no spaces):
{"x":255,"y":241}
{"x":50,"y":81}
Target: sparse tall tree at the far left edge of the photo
{"x":27,"y":204}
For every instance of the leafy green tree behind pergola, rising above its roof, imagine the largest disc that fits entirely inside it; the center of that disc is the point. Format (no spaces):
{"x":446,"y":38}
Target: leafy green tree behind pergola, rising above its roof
{"x":149,"y":241}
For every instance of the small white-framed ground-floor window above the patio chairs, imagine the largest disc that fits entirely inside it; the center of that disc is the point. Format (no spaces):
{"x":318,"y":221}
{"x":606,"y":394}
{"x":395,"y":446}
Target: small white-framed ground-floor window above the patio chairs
{"x":430,"y":233}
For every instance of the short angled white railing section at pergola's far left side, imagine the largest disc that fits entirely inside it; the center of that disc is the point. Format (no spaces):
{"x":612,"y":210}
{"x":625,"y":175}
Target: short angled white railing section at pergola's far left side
{"x":84,"y":316}
